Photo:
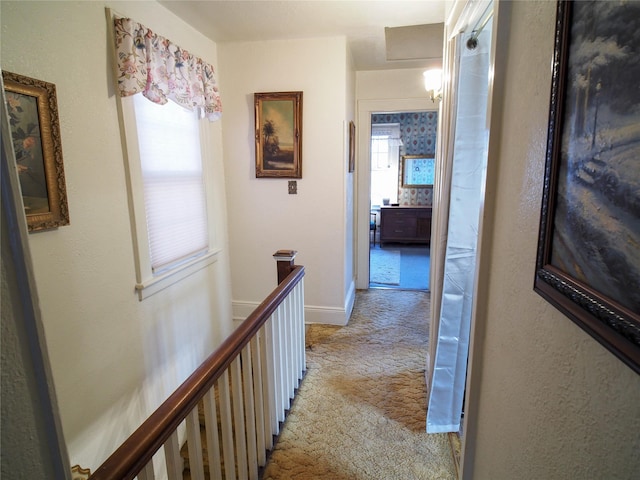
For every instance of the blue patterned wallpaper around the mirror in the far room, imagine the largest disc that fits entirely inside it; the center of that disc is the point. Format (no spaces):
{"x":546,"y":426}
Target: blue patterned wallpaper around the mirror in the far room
{"x":418,"y":134}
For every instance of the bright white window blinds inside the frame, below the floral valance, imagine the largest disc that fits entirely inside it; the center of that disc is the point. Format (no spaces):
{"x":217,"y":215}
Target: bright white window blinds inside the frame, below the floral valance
{"x":174,"y":194}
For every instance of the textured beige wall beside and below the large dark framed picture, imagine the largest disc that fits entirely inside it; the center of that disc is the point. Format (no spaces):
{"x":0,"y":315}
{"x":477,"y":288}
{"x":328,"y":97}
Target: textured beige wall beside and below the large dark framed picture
{"x":546,"y":400}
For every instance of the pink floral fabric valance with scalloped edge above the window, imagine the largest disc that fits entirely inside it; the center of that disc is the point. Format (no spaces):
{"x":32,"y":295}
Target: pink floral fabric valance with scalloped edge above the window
{"x":163,"y":71}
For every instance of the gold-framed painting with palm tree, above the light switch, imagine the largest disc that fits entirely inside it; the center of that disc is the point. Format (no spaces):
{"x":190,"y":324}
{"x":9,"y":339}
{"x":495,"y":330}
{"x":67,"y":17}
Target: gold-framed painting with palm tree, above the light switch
{"x":278,"y":134}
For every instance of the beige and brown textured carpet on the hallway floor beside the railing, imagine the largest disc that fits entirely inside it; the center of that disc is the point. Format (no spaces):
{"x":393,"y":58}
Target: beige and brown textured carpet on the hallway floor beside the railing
{"x":360,"y":411}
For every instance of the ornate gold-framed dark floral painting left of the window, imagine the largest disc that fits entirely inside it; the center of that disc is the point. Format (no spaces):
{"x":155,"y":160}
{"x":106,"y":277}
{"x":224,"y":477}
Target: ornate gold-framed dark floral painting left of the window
{"x":33,"y":121}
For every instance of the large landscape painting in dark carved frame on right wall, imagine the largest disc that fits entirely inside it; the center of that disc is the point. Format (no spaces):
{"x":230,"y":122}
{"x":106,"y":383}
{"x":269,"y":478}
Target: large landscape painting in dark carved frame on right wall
{"x":588,"y":260}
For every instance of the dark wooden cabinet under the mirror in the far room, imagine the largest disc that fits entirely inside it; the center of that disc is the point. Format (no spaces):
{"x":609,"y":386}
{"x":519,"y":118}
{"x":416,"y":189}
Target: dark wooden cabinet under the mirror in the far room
{"x":405,"y":224}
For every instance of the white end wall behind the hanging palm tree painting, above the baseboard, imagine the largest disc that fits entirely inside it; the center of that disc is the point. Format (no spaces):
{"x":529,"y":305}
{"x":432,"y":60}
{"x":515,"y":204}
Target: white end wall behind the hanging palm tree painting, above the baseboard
{"x":263,"y":217}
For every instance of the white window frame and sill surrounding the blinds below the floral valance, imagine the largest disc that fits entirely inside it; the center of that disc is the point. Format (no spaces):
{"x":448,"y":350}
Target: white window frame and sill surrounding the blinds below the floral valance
{"x":147,"y":283}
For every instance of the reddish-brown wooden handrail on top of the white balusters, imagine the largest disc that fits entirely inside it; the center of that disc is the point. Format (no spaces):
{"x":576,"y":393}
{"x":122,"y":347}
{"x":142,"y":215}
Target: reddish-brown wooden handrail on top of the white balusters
{"x":131,"y":457}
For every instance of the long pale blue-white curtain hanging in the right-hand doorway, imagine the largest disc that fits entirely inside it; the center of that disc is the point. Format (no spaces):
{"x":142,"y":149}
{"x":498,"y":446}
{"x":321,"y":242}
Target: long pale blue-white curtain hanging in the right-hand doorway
{"x":468,"y":166}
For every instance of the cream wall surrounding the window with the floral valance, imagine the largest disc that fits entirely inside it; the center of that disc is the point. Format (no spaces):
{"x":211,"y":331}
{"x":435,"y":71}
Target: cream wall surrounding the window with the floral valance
{"x":111,"y":355}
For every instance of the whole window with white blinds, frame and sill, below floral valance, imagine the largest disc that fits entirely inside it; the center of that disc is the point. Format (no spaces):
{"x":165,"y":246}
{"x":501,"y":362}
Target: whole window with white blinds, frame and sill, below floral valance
{"x":166,"y":145}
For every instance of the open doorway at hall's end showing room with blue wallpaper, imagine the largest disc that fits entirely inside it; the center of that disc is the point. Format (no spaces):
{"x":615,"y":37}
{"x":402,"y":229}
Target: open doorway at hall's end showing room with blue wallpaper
{"x":395,"y":262}
